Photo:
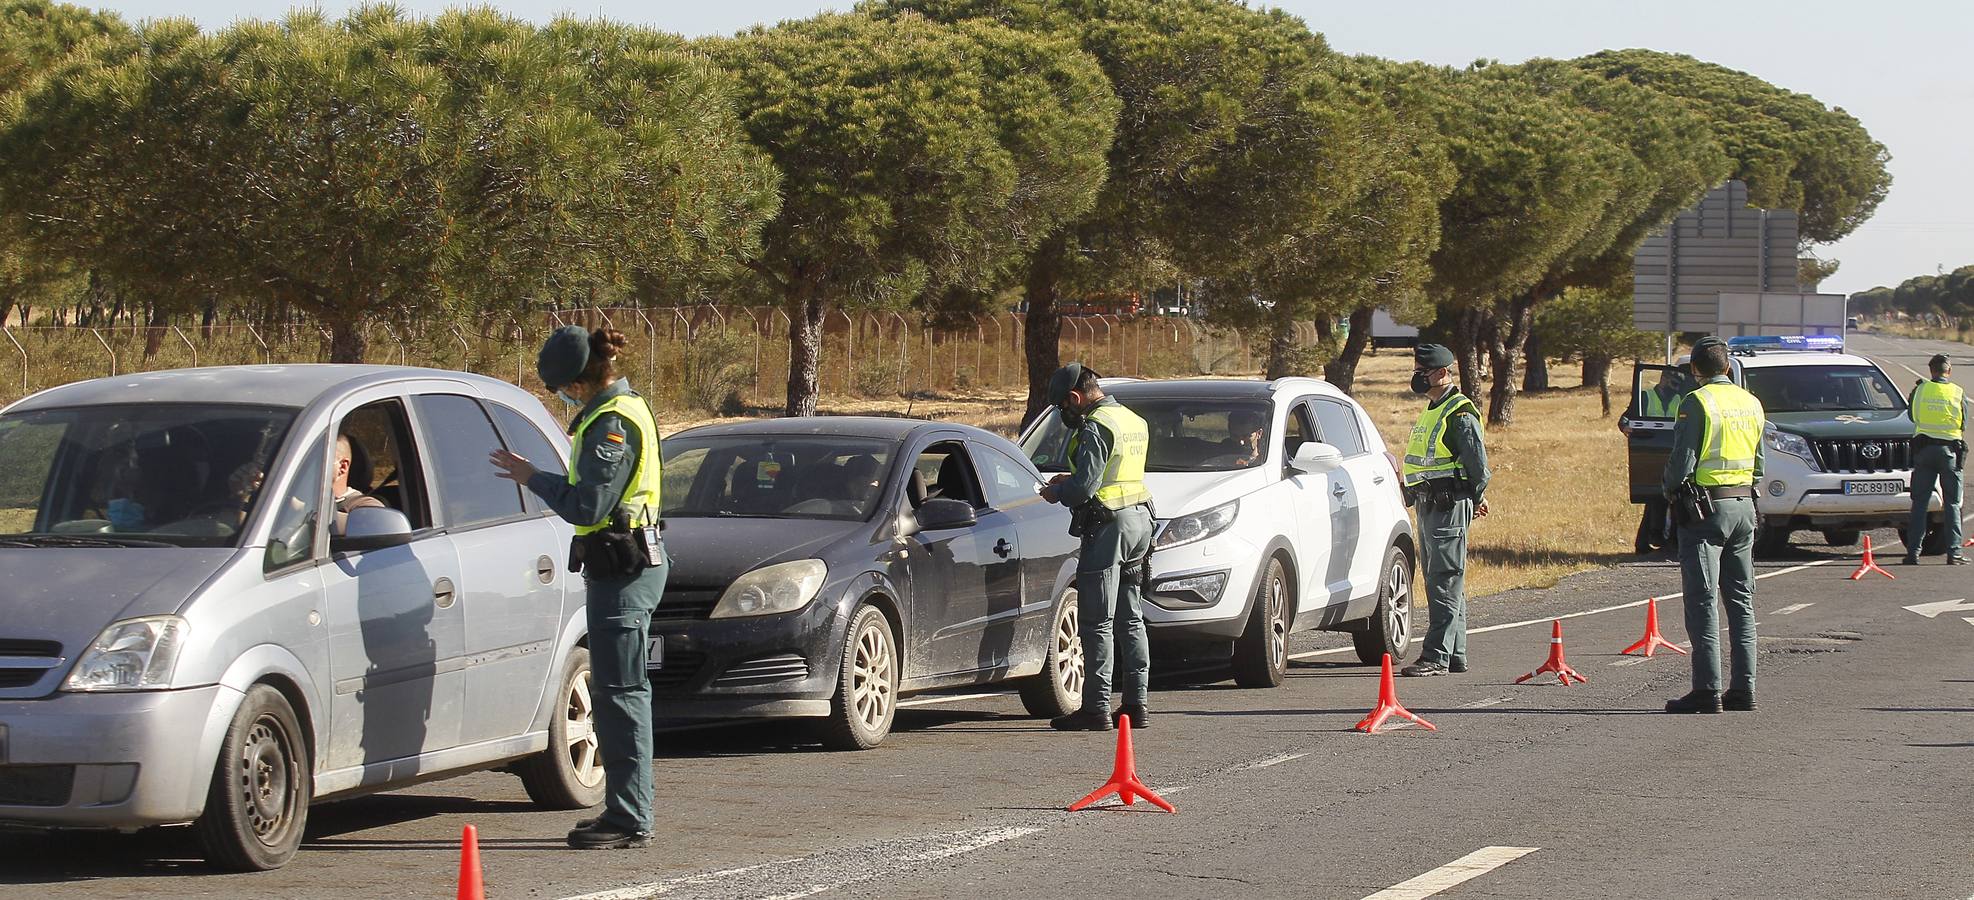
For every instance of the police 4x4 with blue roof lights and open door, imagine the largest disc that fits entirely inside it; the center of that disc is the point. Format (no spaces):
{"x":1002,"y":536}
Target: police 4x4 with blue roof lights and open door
{"x":1839,"y":447}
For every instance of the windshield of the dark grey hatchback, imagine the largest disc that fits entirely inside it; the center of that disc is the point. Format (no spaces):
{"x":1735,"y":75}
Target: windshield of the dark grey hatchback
{"x":773,"y":477}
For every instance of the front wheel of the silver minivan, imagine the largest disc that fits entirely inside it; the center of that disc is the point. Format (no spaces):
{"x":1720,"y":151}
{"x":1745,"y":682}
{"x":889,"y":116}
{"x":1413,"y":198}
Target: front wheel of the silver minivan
{"x":258,"y":806}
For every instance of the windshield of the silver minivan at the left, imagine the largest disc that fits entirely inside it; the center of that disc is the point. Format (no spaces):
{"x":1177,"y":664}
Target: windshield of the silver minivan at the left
{"x":137,"y":475}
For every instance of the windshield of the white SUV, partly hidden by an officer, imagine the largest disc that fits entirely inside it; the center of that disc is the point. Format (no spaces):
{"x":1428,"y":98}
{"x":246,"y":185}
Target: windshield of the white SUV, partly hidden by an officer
{"x":1187,"y":435}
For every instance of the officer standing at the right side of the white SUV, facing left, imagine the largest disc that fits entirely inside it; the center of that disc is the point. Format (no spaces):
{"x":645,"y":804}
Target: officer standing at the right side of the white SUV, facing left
{"x":1446,"y":477}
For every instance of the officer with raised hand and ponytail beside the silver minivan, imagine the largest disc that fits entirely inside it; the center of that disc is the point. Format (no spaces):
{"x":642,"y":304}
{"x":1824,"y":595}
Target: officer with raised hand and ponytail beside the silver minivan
{"x":611,"y":496}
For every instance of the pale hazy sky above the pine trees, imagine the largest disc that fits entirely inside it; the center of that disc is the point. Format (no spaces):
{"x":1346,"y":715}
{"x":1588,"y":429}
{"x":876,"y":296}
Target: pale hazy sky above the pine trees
{"x":1900,"y":66}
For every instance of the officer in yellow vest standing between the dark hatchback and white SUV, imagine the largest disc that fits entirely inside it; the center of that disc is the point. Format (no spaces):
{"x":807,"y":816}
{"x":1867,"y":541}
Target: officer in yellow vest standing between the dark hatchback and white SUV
{"x":1112,"y":514}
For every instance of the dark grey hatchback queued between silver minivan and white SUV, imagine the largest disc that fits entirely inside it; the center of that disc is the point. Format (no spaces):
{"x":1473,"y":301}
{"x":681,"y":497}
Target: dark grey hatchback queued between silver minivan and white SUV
{"x":824,"y":567}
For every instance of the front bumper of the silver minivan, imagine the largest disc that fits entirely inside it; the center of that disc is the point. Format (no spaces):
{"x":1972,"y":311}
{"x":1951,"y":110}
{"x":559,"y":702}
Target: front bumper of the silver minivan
{"x":112,"y":761}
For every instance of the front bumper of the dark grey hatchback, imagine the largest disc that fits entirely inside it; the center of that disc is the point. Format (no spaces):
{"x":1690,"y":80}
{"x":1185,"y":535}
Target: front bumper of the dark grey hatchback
{"x":757,"y":666}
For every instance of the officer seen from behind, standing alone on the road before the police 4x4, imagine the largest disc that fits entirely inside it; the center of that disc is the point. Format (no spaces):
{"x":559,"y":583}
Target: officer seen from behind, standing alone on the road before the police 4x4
{"x":1716,"y":449}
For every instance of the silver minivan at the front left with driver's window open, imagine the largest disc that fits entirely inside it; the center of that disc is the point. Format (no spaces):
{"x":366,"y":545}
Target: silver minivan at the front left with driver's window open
{"x":198,"y":625}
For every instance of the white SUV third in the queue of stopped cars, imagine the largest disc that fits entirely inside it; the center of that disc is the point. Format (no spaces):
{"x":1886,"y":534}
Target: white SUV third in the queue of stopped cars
{"x":1278,"y":512}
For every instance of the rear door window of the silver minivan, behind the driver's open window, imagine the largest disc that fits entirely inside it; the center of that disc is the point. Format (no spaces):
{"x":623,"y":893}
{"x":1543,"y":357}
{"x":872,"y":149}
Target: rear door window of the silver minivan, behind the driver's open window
{"x":459,"y":439}
